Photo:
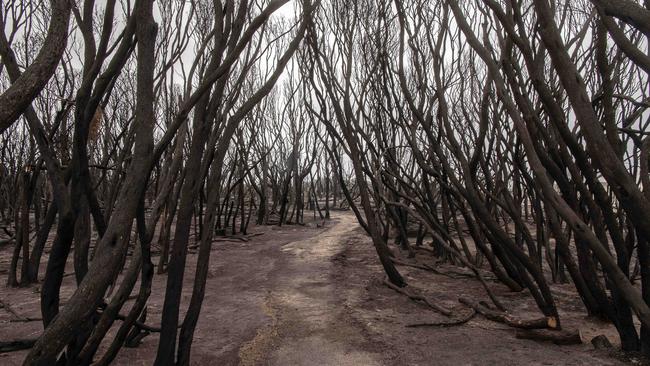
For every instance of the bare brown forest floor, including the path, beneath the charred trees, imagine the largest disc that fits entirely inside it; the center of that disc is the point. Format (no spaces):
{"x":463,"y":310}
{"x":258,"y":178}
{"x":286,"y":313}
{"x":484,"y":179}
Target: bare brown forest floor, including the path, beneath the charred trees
{"x":308,"y":295}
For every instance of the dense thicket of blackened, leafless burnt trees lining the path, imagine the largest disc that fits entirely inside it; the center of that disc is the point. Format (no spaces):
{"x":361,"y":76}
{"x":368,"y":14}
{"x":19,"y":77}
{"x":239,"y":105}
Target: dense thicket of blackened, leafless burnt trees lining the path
{"x":502,"y":135}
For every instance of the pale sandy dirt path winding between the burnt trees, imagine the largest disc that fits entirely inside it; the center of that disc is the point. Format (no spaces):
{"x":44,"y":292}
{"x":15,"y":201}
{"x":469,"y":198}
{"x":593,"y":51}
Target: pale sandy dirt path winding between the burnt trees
{"x":310,"y":326}
